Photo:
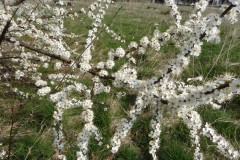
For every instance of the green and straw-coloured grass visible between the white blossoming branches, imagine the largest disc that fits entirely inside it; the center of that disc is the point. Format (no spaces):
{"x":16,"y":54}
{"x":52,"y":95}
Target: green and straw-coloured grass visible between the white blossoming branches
{"x":32,"y":122}
